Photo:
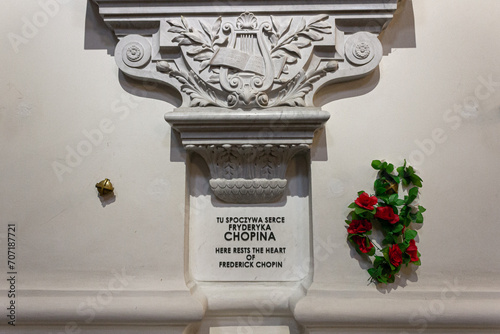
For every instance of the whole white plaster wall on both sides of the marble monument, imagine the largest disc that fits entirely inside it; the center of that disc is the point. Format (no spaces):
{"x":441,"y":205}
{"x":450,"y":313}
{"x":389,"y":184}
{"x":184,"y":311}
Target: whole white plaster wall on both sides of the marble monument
{"x":53,"y":89}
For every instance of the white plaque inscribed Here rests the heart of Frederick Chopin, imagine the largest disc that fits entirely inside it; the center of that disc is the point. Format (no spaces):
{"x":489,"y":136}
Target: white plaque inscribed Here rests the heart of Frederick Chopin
{"x":264,"y":242}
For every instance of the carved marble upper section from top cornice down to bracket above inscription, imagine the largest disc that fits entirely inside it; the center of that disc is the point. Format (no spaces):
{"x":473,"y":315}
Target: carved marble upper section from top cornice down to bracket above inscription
{"x":247,"y":74}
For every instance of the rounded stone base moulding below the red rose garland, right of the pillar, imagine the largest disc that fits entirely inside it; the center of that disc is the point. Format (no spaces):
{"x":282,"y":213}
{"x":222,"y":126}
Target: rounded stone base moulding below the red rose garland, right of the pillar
{"x":445,"y":309}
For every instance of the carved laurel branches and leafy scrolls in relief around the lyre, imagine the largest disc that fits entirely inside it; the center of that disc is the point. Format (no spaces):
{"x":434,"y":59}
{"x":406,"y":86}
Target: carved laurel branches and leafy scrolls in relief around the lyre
{"x":276,"y":40}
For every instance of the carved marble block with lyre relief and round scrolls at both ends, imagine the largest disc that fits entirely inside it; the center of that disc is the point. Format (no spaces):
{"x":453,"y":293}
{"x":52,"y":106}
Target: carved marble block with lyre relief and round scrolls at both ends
{"x":249,"y":61}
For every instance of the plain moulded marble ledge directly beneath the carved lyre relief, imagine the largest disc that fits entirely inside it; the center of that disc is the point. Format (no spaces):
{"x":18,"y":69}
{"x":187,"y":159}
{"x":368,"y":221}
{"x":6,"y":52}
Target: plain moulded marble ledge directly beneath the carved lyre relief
{"x":269,"y":126}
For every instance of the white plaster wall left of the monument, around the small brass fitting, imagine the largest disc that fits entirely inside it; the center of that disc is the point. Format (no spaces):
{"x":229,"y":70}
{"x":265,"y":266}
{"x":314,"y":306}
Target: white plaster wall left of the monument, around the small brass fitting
{"x":52,"y":90}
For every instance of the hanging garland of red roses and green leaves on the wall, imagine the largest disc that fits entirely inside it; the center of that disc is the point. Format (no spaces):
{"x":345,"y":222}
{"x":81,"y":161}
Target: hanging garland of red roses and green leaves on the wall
{"x":394,"y":215}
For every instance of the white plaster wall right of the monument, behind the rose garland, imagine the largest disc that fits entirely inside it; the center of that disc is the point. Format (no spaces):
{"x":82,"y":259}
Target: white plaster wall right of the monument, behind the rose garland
{"x":412,"y":106}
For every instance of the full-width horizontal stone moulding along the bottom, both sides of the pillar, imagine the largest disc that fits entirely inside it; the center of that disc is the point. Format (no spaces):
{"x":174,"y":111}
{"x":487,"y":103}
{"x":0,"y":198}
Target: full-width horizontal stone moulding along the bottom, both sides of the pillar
{"x":323,"y":310}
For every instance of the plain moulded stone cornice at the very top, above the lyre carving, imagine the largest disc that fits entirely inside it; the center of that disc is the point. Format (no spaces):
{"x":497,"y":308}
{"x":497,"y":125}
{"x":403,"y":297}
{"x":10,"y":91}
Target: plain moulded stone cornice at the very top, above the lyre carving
{"x":125,"y":16}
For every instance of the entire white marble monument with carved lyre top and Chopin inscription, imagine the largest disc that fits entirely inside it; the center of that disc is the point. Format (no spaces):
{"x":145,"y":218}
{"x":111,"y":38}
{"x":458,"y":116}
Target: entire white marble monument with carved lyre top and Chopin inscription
{"x":247,"y":74}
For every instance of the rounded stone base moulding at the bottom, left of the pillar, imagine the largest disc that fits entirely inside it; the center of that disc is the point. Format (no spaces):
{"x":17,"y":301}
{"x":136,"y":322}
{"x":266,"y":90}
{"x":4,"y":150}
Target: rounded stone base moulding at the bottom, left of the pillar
{"x":107,"y":307}
